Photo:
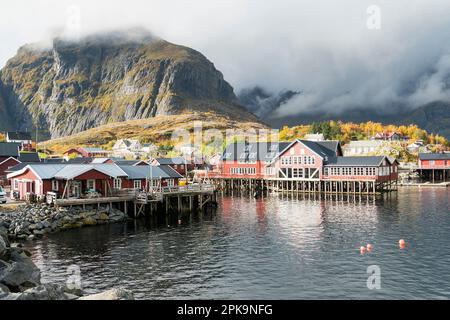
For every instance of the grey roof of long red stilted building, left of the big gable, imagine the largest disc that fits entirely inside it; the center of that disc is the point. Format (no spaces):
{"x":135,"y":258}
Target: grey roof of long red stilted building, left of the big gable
{"x":253,"y":151}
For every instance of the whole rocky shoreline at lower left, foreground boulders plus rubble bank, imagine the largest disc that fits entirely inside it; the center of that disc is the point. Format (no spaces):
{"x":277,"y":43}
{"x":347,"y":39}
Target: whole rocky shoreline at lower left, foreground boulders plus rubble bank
{"x":20,"y":278}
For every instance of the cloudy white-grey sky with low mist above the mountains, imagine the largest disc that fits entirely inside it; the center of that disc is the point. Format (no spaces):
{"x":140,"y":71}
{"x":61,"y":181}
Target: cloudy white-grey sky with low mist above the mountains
{"x":332,"y":51}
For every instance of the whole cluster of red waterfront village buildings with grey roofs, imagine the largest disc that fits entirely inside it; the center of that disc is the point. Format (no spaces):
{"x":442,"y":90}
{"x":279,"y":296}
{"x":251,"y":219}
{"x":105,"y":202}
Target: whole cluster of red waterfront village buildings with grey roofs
{"x":308,"y":164}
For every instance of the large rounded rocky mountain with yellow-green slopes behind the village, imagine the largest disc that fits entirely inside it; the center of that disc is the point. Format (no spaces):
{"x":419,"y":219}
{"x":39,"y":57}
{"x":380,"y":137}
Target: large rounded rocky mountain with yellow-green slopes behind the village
{"x":71,"y":86}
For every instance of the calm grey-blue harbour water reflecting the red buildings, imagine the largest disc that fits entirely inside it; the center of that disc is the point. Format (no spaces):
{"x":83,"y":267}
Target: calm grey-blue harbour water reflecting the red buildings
{"x":274,"y":248}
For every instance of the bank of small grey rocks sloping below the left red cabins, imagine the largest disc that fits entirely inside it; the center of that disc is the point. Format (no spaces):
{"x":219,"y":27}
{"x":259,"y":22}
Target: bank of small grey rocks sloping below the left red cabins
{"x":31,"y":221}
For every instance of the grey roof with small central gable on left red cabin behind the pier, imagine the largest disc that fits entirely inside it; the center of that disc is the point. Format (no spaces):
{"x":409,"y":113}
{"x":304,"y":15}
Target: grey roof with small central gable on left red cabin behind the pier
{"x":74,"y":170}
